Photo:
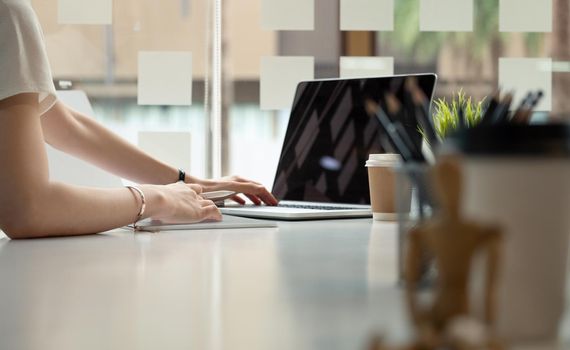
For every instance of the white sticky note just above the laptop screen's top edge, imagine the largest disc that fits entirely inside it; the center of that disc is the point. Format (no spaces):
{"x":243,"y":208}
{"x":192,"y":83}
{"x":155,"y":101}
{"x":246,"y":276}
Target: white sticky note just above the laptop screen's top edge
{"x":360,"y":67}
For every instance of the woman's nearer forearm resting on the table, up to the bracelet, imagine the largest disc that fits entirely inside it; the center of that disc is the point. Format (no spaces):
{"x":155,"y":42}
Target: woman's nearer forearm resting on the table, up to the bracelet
{"x":62,"y":210}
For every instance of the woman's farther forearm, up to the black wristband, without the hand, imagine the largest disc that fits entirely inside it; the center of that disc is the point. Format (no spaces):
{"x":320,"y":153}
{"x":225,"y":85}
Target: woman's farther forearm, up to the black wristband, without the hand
{"x":83,"y":137}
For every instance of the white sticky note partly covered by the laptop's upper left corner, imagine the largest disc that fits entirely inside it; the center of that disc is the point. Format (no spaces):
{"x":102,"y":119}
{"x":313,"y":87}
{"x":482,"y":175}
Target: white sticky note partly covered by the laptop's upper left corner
{"x":279,"y":78}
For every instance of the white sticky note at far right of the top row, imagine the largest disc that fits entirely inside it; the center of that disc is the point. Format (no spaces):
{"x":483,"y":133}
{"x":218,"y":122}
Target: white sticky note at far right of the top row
{"x":525,"y":15}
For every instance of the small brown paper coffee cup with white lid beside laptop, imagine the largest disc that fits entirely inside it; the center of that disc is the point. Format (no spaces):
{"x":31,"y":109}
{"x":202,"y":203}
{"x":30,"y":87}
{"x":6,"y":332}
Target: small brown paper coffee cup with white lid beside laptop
{"x":382,"y":181}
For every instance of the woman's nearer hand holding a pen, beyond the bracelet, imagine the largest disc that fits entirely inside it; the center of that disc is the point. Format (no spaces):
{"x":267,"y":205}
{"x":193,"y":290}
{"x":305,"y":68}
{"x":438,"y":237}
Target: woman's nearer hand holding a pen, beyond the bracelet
{"x":182,"y":203}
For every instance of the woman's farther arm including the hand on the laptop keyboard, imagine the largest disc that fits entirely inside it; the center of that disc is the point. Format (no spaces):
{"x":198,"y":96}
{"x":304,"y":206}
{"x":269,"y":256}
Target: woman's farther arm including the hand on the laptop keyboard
{"x":79,"y":135}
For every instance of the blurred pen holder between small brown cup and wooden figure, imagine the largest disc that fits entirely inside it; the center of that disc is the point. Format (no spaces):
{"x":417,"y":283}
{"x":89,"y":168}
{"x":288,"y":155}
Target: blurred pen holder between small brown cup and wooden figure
{"x":414,"y":177}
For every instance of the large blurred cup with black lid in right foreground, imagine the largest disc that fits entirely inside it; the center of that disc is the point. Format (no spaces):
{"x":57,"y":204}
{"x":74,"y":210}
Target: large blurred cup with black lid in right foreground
{"x":516,"y":178}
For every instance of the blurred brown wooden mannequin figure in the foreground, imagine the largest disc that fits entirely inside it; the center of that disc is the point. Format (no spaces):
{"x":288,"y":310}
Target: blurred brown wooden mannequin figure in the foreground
{"x":452,"y":241}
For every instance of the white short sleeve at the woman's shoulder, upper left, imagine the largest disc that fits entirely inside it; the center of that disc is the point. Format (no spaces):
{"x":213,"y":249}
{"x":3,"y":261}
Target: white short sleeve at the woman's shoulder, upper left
{"x":24,"y":66}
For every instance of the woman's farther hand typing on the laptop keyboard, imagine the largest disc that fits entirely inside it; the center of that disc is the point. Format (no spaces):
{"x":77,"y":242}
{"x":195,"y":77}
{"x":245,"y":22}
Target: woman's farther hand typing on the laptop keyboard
{"x":255,"y":191}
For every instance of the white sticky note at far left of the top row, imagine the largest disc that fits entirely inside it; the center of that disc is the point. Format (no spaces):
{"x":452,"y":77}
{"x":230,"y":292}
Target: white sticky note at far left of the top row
{"x":85,"y":11}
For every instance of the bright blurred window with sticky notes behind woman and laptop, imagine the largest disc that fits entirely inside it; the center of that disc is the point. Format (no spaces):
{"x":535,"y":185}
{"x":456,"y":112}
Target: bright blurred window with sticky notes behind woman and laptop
{"x":149,"y":67}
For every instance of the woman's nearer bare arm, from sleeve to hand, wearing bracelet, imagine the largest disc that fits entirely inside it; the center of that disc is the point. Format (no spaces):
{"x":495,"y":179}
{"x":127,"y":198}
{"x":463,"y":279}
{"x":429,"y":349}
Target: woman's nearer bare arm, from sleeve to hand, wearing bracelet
{"x":32,"y":206}
